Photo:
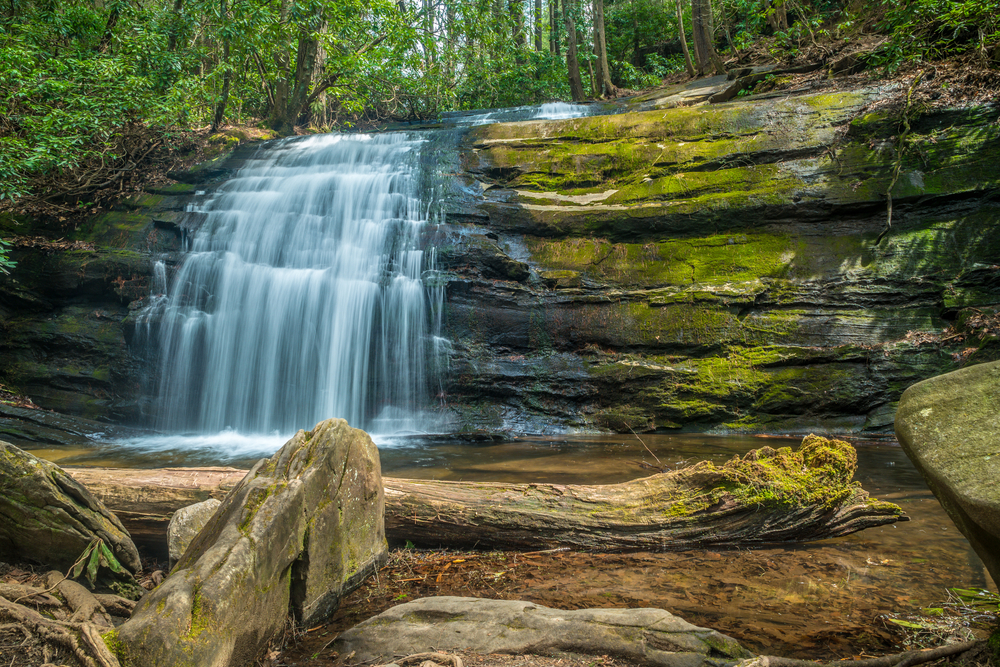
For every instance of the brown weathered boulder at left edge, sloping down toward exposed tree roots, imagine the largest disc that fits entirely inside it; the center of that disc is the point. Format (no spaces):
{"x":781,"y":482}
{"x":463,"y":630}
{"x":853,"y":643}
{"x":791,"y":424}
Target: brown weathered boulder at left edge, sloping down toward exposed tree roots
{"x":47,"y":515}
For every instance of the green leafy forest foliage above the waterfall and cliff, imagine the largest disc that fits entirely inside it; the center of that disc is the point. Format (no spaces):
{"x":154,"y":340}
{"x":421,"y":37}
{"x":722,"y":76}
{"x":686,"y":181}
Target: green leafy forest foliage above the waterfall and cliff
{"x":89,"y":87}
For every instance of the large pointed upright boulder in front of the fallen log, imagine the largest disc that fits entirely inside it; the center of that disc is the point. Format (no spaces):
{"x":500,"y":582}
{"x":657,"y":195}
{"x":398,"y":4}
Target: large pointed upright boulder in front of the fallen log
{"x":302,"y":529}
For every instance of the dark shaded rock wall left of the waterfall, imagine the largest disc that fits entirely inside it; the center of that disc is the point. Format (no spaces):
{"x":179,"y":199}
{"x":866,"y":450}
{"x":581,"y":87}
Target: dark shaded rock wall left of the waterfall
{"x":71,"y":336}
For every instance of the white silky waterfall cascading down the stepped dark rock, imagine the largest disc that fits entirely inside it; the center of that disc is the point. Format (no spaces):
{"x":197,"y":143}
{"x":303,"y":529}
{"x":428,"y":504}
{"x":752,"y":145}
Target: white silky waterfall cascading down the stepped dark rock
{"x":302,"y":294}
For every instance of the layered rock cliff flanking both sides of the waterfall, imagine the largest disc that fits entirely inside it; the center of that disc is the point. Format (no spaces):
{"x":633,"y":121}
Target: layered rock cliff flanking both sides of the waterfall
{"x":707,"y":267}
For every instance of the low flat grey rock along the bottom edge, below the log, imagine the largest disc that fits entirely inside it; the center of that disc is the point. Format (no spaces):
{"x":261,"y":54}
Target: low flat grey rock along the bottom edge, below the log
{"x":642,"y":636}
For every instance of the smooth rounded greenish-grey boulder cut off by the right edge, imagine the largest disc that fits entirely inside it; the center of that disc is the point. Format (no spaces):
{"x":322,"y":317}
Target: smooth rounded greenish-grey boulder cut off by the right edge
{"x":949,"y":426}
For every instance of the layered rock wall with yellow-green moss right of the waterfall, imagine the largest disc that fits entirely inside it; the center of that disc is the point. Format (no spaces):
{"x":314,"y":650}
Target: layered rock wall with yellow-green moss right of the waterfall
{"x":715,"y":267}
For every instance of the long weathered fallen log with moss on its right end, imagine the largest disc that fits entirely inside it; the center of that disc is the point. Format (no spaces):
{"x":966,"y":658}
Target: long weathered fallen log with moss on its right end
{"x":767,"y":496}
